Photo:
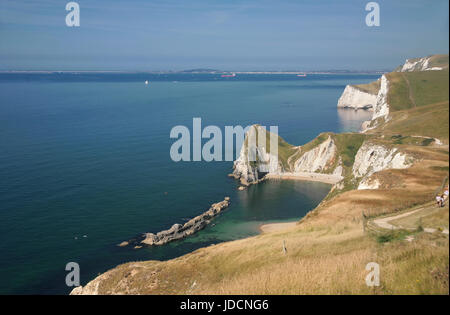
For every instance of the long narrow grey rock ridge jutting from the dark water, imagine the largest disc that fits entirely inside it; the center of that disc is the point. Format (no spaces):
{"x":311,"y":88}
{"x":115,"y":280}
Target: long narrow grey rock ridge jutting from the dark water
{"x":179,"y":231}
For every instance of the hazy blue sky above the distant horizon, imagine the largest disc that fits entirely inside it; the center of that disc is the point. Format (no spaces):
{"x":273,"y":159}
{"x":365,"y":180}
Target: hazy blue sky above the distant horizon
{"x":157,"y":35}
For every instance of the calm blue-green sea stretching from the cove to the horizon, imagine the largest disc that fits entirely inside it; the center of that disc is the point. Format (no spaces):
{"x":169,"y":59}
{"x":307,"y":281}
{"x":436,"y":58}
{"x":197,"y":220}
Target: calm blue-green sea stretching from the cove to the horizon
{"x":84,"y":165}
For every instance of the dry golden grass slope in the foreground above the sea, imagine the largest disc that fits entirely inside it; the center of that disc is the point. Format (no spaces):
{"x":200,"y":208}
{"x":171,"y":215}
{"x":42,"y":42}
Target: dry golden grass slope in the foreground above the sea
{"x":323,"y":260}
